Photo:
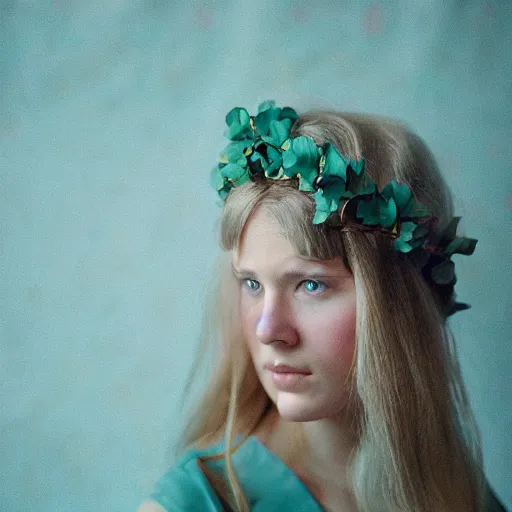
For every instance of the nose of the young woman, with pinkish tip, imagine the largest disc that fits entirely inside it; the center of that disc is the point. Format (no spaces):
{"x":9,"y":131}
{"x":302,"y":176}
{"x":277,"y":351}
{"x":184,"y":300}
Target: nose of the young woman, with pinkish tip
{"x":276,"y":322}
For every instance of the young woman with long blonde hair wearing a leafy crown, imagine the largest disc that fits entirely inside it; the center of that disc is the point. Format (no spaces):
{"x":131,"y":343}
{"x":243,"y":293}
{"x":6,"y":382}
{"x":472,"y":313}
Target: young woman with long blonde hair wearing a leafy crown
{"x":335,"y":384}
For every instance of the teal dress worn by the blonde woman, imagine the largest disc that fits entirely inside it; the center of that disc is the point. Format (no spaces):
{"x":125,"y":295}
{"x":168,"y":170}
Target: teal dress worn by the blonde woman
{"x":267,"y":482}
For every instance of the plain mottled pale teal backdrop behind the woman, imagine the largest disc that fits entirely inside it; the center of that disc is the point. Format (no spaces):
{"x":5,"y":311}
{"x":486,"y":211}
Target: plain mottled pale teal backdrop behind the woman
{"x":111,"y":117}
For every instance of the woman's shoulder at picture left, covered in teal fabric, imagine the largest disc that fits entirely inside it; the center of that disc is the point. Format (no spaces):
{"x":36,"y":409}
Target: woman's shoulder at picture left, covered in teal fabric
{"x":185,"y":487}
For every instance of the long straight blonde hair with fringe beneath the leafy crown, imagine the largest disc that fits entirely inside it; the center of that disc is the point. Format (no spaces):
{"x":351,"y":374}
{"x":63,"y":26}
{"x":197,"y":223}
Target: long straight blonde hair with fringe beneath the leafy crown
{"x":419,"y":447}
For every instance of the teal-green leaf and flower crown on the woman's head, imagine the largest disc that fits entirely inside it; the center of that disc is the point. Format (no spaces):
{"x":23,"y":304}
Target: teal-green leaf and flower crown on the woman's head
{"x":262,"y":148}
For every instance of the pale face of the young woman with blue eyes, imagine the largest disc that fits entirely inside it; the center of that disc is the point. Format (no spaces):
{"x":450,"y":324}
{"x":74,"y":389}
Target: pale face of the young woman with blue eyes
{"x":298,"y":319}
